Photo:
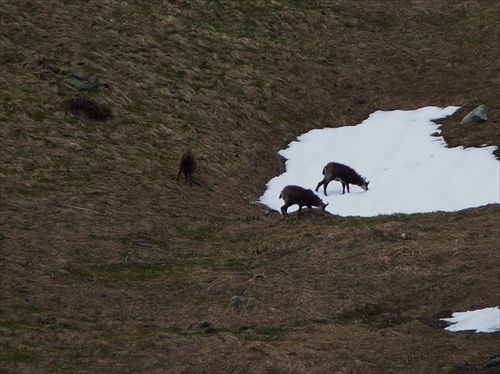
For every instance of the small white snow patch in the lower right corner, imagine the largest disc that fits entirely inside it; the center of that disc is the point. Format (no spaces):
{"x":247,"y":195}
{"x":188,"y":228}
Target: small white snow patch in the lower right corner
{"x":483,"y":320}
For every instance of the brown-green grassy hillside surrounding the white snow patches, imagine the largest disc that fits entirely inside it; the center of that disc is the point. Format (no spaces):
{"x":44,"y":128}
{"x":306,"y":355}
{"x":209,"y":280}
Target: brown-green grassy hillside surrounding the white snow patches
{"x":108,"y":263}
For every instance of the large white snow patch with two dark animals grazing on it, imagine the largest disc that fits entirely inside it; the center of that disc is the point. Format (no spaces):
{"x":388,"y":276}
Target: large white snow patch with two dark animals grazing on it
{"x":409,"y":170}
